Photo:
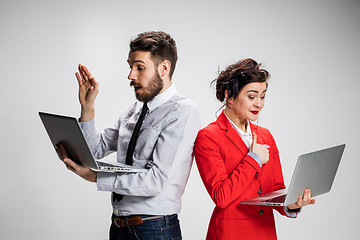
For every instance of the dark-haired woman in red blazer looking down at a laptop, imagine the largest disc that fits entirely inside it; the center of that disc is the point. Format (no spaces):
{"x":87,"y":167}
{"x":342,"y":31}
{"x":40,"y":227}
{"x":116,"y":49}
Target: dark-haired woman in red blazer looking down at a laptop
{"x":239,"y":160}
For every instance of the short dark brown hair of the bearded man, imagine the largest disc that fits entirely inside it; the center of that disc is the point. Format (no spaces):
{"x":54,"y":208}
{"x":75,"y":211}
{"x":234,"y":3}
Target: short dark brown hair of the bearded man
{"x":161,"y":46}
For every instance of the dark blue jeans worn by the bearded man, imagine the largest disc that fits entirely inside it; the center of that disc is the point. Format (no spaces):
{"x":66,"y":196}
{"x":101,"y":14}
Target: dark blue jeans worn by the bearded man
{"x":166,"y":228}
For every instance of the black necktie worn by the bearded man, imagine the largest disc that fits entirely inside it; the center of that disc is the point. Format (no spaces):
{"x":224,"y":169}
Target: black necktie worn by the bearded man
{"x":132,"y":144}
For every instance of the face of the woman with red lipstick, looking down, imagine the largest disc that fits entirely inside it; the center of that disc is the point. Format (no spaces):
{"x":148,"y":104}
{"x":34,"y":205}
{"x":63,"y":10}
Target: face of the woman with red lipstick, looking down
{"x":251,"y":99}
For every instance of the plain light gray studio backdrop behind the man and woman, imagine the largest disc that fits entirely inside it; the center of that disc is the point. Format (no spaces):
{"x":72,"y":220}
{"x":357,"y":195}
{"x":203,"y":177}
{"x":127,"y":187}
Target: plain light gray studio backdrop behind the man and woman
{"x":311,"y":48}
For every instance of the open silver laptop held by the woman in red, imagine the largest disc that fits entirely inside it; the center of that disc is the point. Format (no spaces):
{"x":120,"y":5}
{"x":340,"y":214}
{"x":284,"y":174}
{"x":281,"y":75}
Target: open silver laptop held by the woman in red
{"x":315,"y":170}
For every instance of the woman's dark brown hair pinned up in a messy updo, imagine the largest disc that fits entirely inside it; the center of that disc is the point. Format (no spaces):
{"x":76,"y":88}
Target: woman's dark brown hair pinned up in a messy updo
{"x":237,"y":75}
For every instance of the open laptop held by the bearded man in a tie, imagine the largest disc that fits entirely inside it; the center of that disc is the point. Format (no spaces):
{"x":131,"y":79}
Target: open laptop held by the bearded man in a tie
{"x":66,"y":130}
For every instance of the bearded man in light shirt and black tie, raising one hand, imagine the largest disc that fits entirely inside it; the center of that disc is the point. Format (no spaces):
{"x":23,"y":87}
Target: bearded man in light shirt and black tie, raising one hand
{"x":145,"y":204}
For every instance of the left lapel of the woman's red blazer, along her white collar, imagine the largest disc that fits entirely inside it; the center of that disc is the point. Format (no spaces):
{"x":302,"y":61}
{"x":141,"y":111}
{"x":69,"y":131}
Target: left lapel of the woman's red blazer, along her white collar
{"x":231,"y":134}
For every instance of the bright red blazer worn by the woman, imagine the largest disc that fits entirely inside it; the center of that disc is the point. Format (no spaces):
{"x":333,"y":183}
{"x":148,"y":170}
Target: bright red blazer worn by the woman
{"x":230,"y":176}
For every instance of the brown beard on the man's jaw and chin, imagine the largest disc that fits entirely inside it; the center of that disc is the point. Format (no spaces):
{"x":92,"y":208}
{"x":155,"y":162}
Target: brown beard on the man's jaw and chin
{"x":153,"y":89}
